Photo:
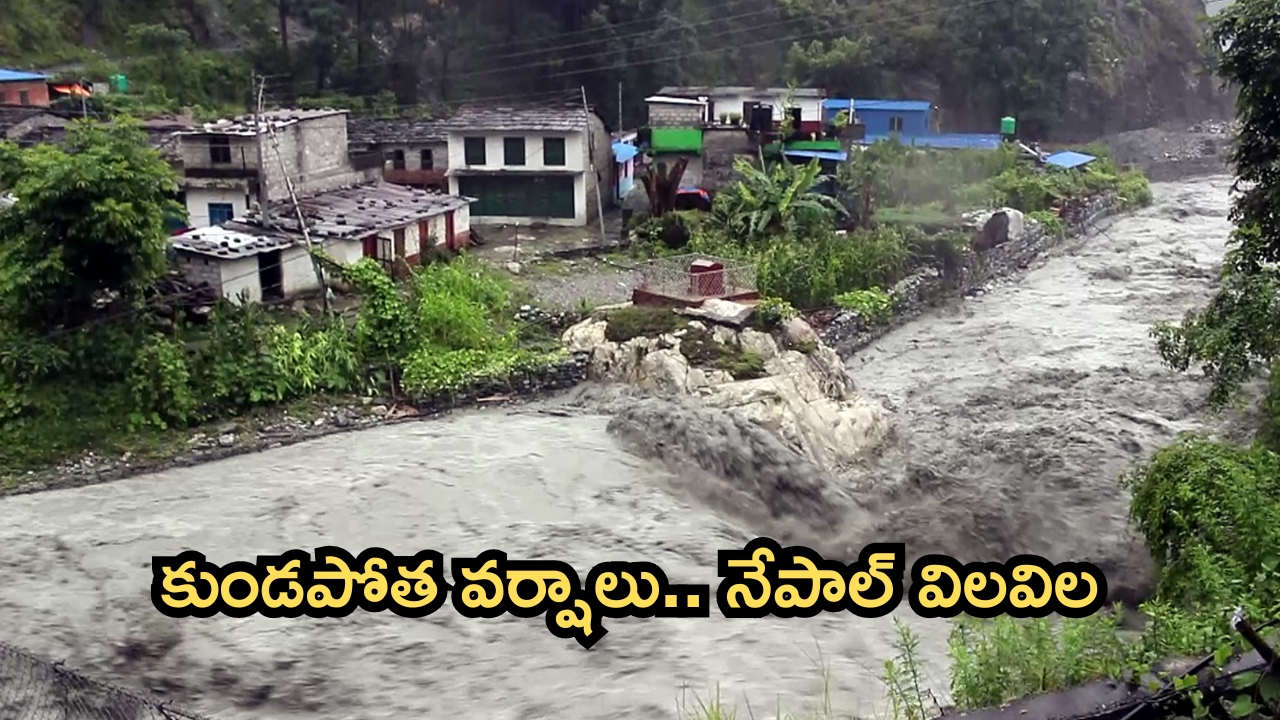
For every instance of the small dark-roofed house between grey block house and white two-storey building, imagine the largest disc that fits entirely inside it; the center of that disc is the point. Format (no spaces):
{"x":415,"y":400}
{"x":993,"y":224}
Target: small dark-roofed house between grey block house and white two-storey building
{"x":417,"y":152}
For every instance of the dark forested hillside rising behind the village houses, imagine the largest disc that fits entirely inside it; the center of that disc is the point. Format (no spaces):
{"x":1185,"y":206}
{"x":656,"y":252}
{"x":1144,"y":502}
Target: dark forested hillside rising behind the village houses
{"x":1080,"y":66}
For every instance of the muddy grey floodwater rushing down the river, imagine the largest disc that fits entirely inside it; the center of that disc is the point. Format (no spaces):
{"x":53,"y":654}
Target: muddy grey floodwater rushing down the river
{"x":1021,"y":408}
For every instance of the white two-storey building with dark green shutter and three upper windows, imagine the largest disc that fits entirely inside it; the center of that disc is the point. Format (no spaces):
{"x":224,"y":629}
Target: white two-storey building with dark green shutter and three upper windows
{"x":529,"y":165}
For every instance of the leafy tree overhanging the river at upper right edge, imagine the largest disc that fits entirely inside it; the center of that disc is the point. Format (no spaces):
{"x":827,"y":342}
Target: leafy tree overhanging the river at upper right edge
{"x":1238,"y":332}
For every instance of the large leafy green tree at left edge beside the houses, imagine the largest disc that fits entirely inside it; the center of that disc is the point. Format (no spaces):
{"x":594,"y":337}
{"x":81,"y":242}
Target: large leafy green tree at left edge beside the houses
{"x":89,"y":222}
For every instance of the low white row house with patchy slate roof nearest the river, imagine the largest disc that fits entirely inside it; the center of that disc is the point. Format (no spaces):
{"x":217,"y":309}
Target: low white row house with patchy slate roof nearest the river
{"x":250,"y":261}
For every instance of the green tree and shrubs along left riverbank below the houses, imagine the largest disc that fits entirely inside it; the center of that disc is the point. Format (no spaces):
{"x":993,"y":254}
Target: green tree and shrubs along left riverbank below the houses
{"x":93,"y":357}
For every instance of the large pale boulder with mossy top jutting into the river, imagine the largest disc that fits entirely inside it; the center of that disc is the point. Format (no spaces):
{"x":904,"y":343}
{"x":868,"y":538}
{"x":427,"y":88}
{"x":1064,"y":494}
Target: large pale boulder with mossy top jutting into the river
{"x":785,"y":381}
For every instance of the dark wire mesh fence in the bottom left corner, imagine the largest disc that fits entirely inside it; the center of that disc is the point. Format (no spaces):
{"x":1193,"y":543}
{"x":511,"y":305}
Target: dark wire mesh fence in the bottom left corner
{"x":34,"y":689}
